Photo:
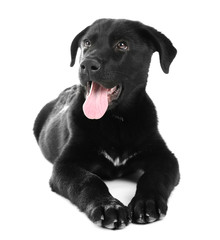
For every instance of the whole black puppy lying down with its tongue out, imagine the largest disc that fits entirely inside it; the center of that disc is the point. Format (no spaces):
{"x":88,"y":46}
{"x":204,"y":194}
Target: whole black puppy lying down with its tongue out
{"x":106,"y":127}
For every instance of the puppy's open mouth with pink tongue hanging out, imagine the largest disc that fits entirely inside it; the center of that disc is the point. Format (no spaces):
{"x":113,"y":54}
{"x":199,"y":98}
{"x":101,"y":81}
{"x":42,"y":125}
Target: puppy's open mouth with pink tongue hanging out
{"x":98,"y":98}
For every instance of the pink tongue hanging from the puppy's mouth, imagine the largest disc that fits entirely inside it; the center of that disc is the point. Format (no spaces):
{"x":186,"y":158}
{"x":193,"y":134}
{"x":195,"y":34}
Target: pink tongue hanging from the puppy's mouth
{"x":96,"y":102}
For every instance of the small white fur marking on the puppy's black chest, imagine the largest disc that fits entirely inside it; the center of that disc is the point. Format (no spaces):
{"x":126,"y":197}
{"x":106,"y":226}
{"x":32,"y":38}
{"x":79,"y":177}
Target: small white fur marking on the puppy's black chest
{"x":116,"y":159}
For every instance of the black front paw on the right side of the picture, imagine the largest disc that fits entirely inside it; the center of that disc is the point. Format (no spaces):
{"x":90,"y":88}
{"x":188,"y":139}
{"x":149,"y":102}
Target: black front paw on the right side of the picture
{"x":147,"y":210}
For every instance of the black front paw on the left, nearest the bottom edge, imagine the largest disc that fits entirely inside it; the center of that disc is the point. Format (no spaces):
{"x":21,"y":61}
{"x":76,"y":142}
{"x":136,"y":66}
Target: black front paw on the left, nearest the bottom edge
{"x":111,"y":214}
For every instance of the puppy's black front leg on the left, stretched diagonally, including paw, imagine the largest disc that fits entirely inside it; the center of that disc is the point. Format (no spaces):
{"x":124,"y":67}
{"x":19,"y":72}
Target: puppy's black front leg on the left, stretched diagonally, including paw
{"x":90,"y":194}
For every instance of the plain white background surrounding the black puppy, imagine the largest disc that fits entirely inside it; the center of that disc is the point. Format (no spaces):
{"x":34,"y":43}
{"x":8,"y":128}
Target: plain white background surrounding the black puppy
{"x":34,"y":67}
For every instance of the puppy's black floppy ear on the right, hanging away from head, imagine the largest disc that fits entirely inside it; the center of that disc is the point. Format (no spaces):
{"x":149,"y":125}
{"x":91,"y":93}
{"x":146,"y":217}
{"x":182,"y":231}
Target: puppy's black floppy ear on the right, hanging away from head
{"x":161,"y":44}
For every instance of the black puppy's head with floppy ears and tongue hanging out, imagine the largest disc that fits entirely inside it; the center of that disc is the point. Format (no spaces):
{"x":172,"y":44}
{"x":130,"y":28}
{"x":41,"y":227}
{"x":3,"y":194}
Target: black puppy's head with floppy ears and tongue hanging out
{"x":114,"y":61}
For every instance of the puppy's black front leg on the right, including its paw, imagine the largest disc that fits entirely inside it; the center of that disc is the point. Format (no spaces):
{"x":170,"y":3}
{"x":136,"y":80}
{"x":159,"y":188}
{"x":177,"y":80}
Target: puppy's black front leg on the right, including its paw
{"x":161,"y":175}
